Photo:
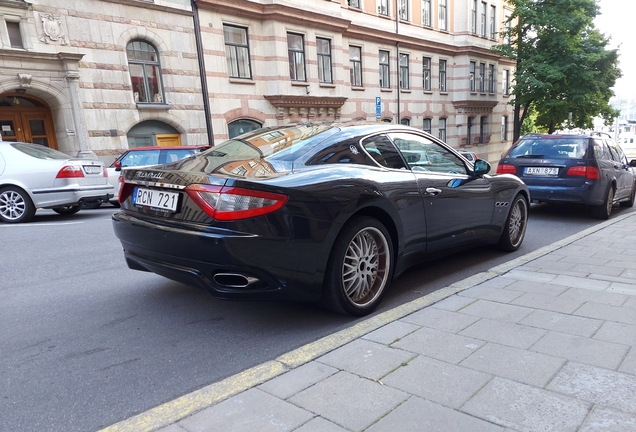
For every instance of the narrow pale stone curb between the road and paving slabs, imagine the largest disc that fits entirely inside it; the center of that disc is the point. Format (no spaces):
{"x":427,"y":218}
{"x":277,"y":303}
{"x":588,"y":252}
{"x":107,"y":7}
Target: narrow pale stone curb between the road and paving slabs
{"x":187,"y":405}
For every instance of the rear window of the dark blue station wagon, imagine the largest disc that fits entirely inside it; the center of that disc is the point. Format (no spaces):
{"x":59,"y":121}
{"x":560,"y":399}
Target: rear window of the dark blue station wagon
{"x":550,"y":148}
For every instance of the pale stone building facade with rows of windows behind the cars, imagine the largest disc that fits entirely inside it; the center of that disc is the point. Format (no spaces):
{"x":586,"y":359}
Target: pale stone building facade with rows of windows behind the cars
{"x":95,"y":77}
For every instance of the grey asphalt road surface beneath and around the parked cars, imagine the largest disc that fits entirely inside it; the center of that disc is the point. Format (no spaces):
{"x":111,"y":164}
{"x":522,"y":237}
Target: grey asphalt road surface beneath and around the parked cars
{"x":85,"y":342}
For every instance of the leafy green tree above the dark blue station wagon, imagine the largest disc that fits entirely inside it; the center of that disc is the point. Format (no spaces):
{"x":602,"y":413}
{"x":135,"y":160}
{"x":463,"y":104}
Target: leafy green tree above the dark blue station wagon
{"x":562,"y":63}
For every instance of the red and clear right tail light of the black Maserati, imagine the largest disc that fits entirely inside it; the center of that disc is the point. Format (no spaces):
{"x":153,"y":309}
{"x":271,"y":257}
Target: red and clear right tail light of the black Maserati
{"x":232,"y":203}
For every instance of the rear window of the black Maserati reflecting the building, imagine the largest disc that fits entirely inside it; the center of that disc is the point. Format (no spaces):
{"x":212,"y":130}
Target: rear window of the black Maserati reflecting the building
{"x":269,"y":149}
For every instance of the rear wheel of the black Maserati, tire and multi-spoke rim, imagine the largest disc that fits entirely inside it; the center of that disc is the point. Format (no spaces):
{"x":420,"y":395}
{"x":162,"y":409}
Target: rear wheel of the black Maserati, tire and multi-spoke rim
{"x":360,"y":268}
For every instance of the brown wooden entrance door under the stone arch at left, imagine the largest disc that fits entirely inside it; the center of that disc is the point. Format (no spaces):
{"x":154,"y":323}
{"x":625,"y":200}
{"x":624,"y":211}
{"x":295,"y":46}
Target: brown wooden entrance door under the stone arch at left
{"x":26,"y":118}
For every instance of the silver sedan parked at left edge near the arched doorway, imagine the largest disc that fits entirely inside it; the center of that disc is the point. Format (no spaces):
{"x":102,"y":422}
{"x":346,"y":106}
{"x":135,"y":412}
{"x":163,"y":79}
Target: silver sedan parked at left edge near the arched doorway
{"x":33,"y":176}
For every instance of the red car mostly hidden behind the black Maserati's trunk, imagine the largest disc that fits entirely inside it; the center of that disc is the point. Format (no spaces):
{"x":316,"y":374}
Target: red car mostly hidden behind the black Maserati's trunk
{"x":144,"y":156}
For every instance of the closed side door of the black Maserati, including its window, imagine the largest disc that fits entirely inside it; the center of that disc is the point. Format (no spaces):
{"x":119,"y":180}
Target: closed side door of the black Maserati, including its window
{"x":458,"y":207}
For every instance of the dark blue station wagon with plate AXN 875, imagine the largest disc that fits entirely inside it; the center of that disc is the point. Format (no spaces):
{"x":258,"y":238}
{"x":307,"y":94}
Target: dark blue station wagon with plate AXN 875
{"x":582,"y":169}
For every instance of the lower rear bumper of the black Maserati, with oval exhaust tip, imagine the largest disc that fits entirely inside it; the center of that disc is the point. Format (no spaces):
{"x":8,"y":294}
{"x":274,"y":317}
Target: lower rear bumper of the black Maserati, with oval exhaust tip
{"x":228,"y":265}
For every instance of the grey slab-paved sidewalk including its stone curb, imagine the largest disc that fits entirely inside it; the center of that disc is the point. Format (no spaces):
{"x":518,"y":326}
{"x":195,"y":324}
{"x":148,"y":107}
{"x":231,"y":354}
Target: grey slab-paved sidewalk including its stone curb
{"x":542,"y":343}
